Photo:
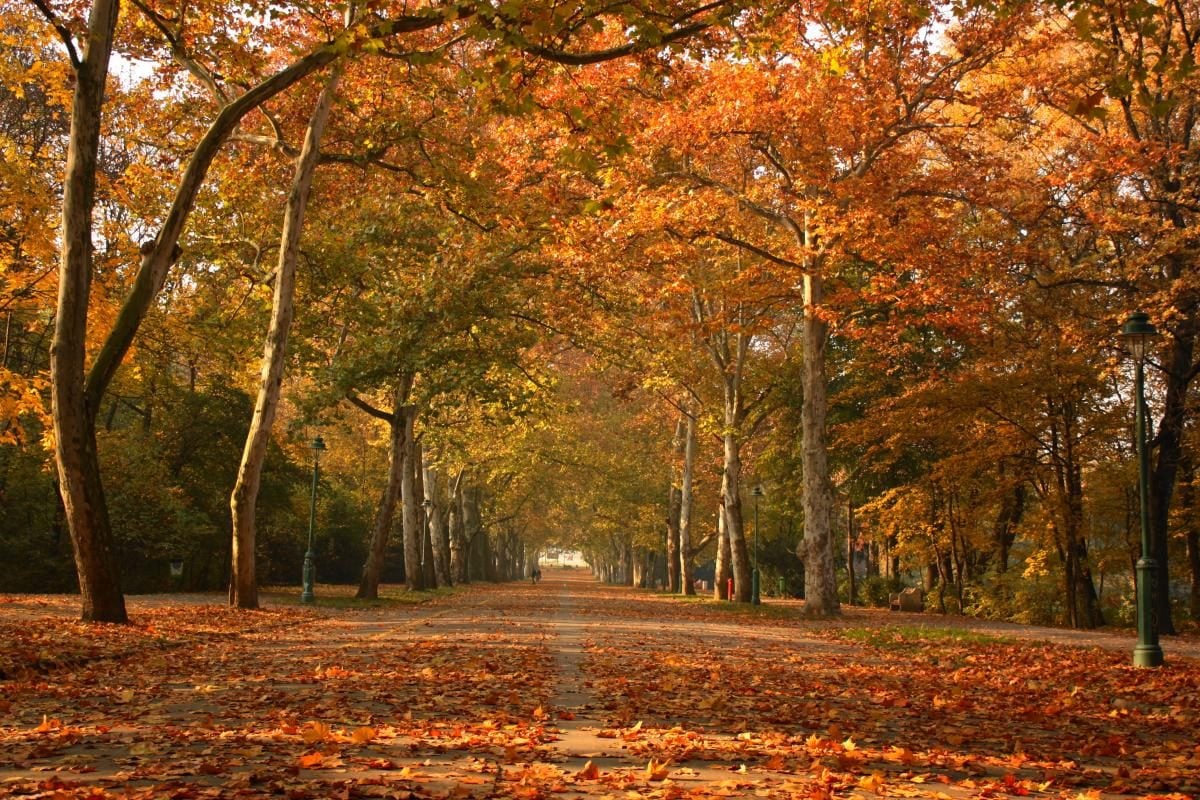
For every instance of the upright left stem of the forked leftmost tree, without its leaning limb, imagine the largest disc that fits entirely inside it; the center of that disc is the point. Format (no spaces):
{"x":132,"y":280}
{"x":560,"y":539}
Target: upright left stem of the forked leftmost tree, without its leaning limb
{"x":74,"y":410}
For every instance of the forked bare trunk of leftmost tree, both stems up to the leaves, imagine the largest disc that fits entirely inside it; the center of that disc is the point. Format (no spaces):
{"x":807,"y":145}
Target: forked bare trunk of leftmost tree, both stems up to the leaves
{"x":76,"y":400}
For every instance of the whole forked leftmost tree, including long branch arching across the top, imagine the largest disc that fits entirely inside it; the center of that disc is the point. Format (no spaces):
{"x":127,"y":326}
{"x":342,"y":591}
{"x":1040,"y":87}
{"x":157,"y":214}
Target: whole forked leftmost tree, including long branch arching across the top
{"x":76,"y":387}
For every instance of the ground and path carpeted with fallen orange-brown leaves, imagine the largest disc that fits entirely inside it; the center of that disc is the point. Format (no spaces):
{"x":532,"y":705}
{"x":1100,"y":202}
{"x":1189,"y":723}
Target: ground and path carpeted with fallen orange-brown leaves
{"x":466,"y":696}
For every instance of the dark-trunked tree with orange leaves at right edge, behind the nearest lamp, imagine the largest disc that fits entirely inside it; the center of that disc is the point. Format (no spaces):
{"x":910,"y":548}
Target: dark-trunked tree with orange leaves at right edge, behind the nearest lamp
{"x":1126,"y":98}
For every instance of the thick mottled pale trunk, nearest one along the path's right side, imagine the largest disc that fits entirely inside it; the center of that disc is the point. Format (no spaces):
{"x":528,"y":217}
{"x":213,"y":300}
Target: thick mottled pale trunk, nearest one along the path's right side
{"x":820,"y":579}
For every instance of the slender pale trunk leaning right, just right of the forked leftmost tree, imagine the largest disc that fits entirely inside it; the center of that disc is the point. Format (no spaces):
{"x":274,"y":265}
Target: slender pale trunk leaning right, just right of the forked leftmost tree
{"x":244,"y":501}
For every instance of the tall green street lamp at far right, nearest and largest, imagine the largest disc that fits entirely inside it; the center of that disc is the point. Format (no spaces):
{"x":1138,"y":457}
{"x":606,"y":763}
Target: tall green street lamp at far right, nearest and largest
{"x":1138,"y":334}
